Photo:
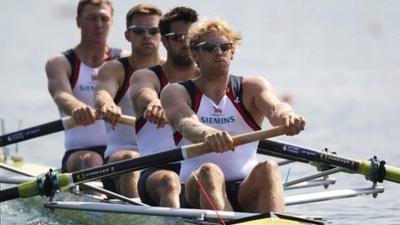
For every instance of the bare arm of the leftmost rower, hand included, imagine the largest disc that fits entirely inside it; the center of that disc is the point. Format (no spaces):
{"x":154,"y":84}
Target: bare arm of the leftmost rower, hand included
{"x":58,"y":71}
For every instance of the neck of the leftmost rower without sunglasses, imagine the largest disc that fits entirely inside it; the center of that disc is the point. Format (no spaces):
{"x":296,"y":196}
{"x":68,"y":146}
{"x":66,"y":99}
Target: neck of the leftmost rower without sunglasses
{"x":92,"y":54}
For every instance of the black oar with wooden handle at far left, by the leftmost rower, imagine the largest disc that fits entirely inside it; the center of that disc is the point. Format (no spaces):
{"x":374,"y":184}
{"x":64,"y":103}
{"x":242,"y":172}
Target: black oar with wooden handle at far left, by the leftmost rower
{"x":49,"y":128}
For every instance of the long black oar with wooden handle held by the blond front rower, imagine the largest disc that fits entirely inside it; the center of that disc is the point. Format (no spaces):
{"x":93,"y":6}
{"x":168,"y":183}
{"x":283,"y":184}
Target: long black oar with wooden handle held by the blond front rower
{"x":47,"y":184}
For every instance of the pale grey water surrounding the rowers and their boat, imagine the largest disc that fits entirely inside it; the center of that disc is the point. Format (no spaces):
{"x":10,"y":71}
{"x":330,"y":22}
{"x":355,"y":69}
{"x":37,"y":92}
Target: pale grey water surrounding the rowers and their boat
{"x":338,"y":59}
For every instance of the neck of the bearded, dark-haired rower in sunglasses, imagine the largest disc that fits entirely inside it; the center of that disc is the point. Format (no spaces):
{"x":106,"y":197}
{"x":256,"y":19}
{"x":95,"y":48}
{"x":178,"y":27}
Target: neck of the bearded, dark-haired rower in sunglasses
{"x":178,"y":73}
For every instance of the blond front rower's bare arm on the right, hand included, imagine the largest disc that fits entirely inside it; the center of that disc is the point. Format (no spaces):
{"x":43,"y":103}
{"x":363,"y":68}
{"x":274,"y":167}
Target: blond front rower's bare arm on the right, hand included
{"x":264,"y":100}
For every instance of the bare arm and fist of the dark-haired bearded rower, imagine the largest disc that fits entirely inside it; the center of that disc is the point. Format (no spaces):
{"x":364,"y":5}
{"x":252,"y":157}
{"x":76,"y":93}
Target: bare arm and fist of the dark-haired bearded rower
{"x":145,"y":87}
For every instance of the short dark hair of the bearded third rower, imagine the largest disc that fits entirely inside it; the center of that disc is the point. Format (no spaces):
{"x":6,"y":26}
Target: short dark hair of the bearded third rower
{"x":180,"y":13}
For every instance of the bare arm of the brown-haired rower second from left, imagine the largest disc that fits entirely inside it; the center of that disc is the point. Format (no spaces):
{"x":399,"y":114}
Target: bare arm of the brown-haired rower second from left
{"x":110,"y":78}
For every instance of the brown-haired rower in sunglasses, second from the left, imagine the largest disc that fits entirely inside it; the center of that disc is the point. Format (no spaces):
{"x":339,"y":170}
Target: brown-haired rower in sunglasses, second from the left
{"x":112,"y":94}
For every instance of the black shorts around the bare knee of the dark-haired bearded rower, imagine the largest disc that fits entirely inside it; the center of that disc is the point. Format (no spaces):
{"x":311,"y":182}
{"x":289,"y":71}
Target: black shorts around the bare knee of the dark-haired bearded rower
{"x":146,"y":173}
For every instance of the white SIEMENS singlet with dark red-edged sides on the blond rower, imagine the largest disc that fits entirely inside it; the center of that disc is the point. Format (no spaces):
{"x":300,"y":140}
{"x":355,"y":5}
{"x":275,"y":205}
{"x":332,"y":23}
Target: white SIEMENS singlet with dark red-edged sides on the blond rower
{"x":229,"y":115}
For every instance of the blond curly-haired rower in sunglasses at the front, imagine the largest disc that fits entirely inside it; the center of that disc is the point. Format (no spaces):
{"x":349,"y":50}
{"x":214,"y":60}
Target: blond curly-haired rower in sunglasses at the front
{"x":212,"y":108}
